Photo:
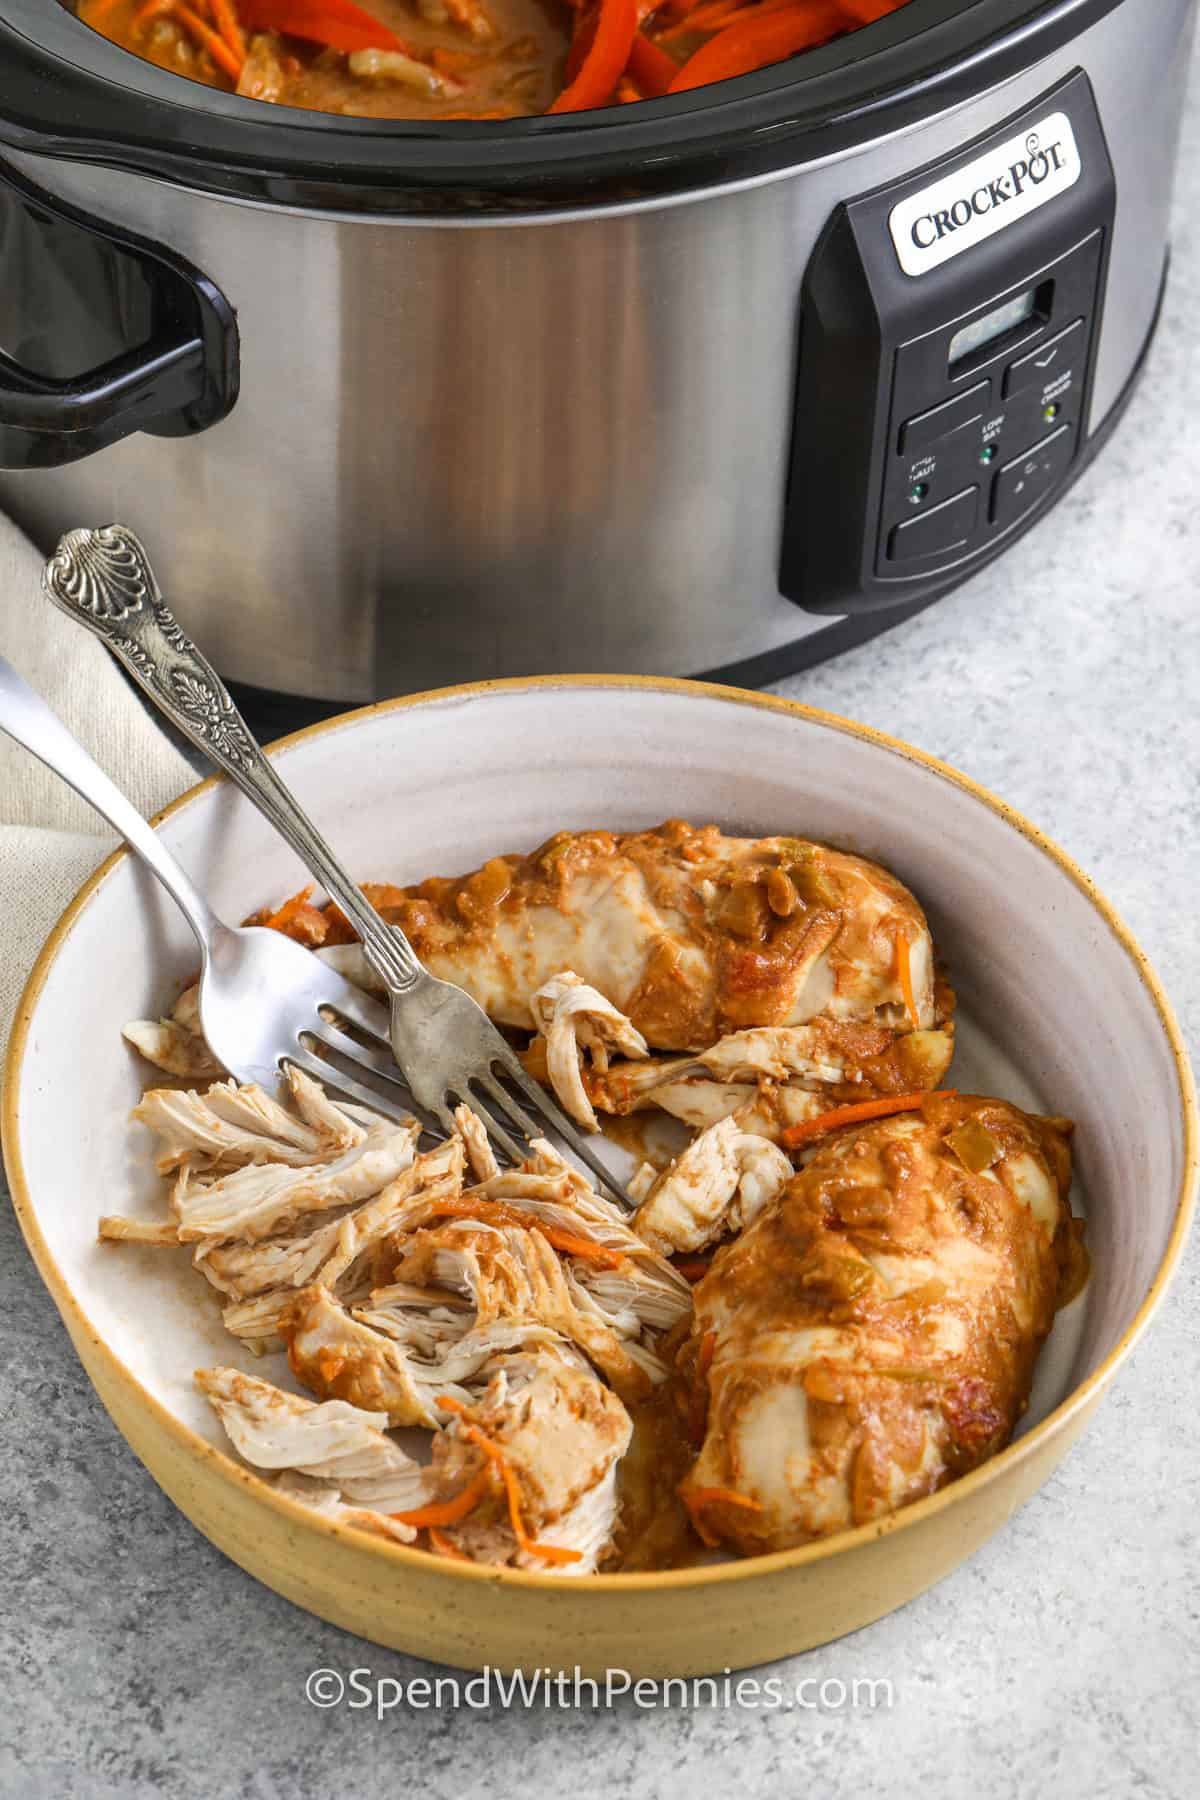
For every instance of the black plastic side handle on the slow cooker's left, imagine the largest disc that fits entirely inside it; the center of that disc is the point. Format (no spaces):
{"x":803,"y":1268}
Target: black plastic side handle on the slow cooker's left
{"x":75,"y":287}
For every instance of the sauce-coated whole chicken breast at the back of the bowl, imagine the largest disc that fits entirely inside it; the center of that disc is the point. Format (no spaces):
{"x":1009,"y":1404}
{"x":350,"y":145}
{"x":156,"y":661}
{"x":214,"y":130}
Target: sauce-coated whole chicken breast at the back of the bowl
{"x":692,"y":935}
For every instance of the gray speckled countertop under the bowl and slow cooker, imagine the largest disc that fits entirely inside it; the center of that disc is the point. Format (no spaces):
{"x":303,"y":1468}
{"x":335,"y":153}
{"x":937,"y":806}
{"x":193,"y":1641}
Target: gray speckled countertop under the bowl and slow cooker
{"x":1066,"y":1657}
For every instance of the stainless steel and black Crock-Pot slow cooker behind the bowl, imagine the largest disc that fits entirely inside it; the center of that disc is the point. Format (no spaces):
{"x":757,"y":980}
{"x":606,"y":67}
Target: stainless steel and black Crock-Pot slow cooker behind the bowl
{"x":719,"y":382}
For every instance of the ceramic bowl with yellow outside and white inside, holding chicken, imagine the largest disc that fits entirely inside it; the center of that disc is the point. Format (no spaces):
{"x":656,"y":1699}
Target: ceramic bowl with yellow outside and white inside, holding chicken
{"x":1059,"y":1009}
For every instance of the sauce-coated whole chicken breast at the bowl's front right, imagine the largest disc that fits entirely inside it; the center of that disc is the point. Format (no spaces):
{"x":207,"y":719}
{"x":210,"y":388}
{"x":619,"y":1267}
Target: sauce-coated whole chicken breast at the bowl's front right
{"x":873,"y":1333}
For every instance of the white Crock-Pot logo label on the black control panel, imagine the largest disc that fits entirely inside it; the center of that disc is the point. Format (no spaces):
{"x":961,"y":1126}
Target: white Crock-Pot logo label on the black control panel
{"x":990,"y":193}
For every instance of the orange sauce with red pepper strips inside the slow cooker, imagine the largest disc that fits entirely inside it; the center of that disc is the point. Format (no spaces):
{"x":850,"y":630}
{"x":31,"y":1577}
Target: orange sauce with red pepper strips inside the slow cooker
{"x":469,"y":58}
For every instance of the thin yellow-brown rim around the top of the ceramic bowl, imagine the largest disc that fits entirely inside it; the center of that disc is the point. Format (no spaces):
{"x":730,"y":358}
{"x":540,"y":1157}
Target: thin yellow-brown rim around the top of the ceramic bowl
{"x":695,"y":1578}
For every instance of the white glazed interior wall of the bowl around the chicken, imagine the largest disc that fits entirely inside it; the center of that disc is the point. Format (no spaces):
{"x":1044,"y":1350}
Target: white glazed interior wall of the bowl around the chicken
{"x":1055,"y":1005}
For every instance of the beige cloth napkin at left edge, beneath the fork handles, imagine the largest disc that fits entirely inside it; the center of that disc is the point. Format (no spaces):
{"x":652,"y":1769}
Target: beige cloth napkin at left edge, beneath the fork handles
{"x":49,"y":838}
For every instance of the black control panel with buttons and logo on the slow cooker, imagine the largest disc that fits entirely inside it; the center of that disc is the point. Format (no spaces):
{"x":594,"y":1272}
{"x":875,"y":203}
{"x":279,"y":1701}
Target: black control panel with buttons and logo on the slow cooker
{"x":947,"y":348}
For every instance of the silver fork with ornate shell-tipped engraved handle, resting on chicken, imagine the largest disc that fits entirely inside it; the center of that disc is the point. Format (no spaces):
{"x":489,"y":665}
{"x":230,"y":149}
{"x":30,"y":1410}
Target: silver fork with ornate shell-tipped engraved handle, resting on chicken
{"x":442,"y":1041}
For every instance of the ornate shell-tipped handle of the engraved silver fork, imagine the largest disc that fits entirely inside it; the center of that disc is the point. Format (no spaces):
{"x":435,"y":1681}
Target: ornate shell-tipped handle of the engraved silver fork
{"x":103,"y":579}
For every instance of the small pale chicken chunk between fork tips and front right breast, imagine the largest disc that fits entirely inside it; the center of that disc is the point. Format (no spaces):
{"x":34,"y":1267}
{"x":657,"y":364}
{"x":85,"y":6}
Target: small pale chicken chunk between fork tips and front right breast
{"x":719,"y":1185}
